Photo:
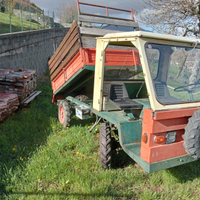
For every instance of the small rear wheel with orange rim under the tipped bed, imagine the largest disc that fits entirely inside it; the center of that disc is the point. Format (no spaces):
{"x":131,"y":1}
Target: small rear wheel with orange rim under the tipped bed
{"x":65,"y":113}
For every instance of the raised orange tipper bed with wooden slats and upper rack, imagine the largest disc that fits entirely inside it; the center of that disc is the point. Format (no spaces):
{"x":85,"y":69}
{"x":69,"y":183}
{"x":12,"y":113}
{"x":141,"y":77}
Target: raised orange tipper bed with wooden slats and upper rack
{"x":72,"y":65}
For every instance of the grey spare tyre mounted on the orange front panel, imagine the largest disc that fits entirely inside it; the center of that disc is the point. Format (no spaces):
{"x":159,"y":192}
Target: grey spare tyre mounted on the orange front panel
{"x":192,"y":136}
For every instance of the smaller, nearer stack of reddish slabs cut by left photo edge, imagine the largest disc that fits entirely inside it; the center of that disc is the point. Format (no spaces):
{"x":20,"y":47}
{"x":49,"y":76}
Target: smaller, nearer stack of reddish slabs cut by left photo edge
{"x":8,"y":104}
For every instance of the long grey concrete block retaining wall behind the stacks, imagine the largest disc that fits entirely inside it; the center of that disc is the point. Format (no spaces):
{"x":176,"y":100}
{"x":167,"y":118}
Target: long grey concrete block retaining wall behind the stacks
{"x":30,"y":49}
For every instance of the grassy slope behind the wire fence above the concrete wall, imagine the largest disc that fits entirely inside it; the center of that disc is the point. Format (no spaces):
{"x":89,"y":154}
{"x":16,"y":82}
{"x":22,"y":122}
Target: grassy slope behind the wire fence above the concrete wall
{"x":16,"y":24}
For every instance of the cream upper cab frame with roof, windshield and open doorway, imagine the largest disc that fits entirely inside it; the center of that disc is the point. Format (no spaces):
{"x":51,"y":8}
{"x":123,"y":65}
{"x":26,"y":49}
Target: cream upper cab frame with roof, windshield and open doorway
{"x":161,"y":68}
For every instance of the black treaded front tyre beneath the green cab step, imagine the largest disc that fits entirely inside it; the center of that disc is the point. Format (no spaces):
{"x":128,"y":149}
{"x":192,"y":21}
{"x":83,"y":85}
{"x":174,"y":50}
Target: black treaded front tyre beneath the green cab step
{"x":105,"y":145}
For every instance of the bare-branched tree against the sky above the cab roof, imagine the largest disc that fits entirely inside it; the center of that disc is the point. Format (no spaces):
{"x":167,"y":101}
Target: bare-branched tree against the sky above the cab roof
{"x":178,"y":17}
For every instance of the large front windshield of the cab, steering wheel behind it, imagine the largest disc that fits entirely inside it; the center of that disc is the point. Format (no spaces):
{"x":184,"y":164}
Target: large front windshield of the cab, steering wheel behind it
{"x":175,"y":72}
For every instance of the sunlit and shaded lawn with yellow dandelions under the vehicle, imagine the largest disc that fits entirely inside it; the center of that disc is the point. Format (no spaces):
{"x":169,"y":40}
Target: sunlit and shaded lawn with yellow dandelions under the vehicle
{"x":41,"y":160}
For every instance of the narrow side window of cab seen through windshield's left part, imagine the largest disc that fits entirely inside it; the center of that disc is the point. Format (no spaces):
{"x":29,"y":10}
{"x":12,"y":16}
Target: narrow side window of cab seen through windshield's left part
{"x":153,"y":56}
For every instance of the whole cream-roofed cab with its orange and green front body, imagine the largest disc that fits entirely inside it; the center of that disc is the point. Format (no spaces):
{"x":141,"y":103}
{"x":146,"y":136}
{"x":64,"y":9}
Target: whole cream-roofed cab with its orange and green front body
{"x":150,"y":96}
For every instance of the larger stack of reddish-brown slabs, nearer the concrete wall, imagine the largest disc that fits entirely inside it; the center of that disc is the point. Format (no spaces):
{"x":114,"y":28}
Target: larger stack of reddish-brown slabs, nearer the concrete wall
{"x":21,"y":82}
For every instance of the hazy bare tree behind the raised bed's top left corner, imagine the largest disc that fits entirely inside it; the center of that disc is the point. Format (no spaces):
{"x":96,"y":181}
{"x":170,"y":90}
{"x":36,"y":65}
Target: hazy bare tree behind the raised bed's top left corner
{"x":67,"y":13}
